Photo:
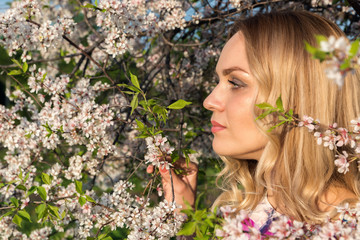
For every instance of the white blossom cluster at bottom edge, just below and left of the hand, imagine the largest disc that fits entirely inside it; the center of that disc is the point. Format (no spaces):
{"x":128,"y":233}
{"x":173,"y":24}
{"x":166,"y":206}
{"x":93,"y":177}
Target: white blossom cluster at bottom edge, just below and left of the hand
{"x":121,"y":209}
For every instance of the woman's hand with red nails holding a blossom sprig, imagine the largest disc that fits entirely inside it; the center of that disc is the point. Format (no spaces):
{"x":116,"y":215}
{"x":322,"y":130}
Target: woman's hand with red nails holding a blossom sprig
{"x":184,"y":184}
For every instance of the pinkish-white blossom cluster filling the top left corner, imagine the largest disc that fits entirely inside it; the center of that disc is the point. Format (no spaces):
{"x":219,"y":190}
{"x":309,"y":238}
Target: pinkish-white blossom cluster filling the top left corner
{"x":20,"y":31}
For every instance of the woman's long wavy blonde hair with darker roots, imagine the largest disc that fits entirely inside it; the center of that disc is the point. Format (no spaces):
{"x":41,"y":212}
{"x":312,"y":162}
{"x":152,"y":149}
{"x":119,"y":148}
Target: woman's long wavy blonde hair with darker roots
{"x":298,"y":170}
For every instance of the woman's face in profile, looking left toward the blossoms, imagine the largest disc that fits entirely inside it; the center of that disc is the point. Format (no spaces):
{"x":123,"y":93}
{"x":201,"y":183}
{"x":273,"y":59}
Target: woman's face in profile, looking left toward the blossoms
{"x":232,"y":103}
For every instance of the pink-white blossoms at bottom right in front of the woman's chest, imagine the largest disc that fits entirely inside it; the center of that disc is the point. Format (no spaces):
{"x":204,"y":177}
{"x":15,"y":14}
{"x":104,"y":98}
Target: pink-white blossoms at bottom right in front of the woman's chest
{"x":240,"y":226}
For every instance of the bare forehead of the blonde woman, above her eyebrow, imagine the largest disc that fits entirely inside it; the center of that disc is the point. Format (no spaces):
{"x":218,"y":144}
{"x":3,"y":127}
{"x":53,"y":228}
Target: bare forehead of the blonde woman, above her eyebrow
{"x":233,"y":54}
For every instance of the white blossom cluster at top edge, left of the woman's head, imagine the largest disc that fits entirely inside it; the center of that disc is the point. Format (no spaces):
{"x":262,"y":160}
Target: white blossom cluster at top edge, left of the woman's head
{"x":122,"y":21}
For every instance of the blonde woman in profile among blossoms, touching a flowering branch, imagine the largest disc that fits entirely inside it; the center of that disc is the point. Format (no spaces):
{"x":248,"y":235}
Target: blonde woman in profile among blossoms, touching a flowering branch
{"x":285,"y":169}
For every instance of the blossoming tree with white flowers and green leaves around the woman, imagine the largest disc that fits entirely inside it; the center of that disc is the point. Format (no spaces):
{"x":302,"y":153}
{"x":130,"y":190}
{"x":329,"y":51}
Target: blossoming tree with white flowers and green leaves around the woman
{"x":96,"y":91}
